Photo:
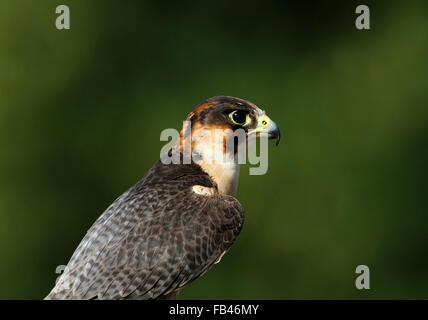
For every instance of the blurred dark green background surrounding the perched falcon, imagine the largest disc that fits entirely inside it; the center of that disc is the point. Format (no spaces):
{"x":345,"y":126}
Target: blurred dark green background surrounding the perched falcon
{"x":81,"y":112}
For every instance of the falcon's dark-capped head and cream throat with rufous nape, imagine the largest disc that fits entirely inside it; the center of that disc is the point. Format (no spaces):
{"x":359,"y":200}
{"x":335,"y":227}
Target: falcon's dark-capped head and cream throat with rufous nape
{"x":215,"y":131}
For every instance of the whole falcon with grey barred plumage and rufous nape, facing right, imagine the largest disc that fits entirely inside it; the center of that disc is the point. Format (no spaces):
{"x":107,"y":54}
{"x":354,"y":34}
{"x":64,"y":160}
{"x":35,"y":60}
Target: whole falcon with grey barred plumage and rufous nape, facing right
{"x":172,"y":225}
